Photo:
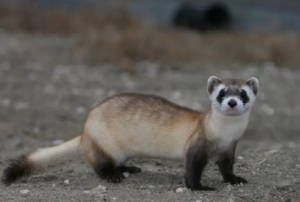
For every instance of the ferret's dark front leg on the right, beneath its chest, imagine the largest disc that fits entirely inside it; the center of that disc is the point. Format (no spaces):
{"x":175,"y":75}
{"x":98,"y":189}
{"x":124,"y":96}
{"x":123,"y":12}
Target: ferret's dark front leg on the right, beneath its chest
{"x":225,"y":164}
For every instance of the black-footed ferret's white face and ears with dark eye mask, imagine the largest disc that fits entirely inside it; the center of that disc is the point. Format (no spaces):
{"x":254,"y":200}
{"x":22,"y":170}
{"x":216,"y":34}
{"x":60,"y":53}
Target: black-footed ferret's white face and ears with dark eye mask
{"x":232,"y":97}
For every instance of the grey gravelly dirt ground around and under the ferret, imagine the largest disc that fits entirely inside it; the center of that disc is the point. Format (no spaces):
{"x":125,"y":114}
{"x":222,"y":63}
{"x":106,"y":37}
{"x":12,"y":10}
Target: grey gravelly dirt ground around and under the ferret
{"x":45,"y":97}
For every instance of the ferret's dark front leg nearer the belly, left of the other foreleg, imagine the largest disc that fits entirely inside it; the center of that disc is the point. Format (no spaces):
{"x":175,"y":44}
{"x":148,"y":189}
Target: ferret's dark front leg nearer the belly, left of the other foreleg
{"x":195,"y":162}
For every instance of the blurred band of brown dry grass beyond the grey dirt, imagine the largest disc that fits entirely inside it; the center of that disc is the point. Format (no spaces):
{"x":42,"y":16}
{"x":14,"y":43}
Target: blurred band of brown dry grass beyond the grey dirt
{"x":114,"y":34}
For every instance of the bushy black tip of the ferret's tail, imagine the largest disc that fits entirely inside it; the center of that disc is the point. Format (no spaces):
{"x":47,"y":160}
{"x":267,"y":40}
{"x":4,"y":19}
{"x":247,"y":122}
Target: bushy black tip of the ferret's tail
{"x":17,"y":168}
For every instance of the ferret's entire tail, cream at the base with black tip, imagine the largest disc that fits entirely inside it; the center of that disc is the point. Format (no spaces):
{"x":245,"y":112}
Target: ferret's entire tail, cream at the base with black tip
{"x":25,"y":165}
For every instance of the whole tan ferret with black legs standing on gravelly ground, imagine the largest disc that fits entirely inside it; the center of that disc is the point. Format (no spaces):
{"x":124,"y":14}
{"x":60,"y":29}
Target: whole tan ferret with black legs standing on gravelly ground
{"x":134,"y":125}
